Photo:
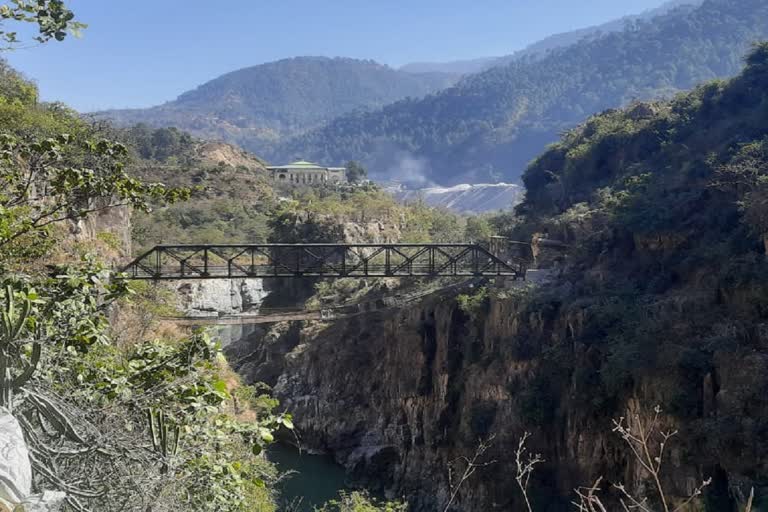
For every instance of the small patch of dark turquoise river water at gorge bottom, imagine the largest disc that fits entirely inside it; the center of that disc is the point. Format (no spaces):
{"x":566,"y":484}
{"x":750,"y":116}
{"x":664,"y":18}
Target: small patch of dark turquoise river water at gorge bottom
{"x":317,"y":479}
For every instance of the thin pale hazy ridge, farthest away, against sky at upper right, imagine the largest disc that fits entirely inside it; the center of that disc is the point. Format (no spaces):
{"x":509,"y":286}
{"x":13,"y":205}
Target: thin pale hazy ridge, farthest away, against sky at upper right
{"x":540,"y":48}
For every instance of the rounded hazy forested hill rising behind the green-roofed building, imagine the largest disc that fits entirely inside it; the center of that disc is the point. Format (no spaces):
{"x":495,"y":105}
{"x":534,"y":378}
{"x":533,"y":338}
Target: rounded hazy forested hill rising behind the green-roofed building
{"x":254,"y":106}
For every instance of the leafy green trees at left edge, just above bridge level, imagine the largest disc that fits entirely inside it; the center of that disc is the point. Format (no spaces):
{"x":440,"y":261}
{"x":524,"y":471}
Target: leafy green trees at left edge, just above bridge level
{"x":53,"y":180}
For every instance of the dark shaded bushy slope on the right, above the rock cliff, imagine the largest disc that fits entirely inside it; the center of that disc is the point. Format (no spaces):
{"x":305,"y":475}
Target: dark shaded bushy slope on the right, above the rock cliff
{"x":665,"y":292}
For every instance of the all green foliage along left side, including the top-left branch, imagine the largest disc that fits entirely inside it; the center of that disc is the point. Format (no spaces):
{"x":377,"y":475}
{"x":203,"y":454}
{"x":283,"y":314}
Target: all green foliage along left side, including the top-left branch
{"x":154,"y":421}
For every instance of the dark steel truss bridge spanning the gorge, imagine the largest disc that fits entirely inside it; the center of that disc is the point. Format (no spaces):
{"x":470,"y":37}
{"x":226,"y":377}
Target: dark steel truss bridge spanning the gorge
{"x":229,"y":261}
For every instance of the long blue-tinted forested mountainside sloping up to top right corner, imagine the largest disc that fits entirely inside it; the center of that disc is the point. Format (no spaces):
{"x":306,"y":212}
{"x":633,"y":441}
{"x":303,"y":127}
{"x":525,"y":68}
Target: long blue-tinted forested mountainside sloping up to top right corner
{"x":492,"y":124}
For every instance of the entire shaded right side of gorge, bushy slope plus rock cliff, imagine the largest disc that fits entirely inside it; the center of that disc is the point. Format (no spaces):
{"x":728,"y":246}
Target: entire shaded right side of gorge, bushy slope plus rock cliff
{"x":642,"y":314}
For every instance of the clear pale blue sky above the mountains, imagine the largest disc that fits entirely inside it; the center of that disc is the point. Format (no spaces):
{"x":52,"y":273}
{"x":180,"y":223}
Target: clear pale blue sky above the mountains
{"x":143,"y":52}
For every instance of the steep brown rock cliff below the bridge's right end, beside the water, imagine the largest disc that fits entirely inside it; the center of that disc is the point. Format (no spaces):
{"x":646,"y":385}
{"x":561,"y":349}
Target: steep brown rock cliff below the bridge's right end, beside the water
{"x":397,"y":396}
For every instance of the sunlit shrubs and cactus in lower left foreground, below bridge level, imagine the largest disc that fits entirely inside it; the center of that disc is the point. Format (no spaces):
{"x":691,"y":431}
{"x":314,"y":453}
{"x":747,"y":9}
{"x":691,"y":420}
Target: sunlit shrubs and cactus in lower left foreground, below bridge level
{"x":155,"y":415}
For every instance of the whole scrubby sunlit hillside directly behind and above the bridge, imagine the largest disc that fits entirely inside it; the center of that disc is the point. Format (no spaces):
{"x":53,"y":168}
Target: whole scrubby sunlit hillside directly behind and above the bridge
{"x":233,"y":200}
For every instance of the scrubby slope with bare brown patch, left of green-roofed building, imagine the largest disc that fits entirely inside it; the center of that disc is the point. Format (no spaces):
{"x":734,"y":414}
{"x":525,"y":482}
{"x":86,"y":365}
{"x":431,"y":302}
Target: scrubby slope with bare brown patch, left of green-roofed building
{"x":232,"y":195}
